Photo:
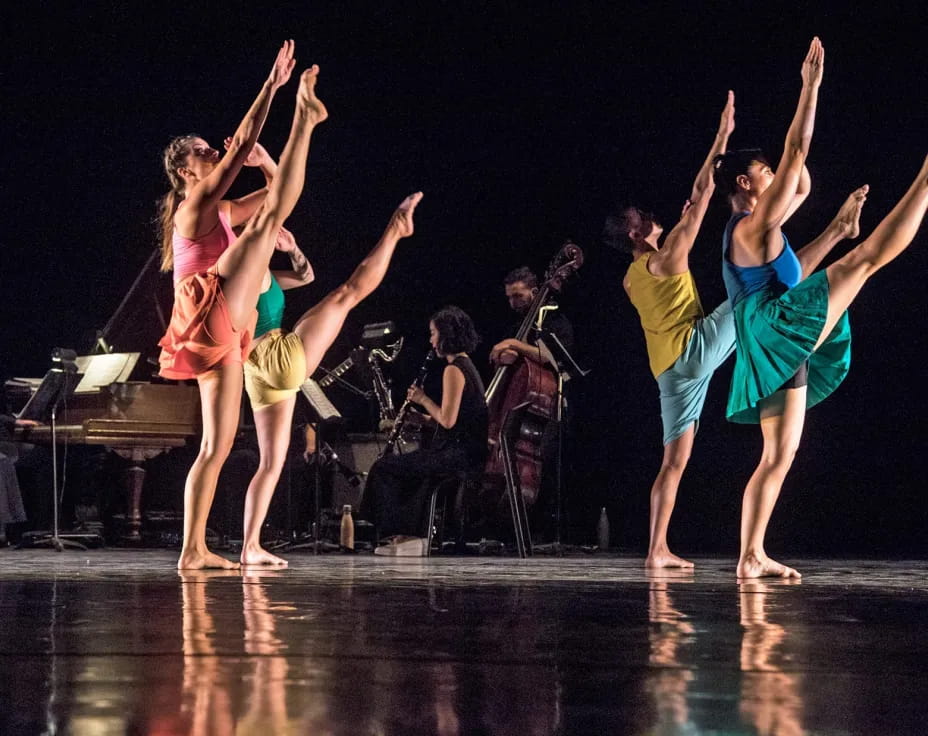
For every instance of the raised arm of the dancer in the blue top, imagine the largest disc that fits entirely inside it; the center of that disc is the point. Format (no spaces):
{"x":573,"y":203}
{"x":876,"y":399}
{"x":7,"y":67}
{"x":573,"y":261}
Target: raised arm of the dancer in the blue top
{"x":791,"y":184}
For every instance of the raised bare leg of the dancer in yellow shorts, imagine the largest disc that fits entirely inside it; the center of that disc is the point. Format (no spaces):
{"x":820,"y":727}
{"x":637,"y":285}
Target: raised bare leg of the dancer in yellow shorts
{"x":319,"y":327}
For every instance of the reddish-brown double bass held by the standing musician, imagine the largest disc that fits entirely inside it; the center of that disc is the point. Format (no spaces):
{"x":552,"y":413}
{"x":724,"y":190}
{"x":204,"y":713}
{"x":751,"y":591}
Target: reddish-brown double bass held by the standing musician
{"x":527,"y":382}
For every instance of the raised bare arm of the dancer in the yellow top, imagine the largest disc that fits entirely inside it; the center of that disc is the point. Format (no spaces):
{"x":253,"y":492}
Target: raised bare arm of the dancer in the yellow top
{"x":672,"y":257}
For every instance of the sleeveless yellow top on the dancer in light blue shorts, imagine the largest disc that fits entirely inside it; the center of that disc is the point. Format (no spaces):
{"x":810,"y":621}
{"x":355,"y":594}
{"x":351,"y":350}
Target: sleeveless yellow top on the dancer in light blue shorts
{"x":668,"y":307}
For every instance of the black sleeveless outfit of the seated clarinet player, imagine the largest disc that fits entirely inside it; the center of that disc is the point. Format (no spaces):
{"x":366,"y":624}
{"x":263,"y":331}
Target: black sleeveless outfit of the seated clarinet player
{"x":398,"y":487}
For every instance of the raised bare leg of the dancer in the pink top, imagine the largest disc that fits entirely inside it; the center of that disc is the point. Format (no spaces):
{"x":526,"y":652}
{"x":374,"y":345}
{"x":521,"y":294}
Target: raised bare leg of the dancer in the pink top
{"x":244,"y":264}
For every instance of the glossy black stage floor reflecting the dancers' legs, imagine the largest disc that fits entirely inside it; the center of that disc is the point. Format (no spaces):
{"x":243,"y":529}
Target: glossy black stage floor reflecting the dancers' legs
{"x":116,"y":642}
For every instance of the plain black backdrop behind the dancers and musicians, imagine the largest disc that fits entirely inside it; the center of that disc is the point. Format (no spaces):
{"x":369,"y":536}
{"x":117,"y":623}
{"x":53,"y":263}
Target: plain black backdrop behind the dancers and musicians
{"x":523,"y":124}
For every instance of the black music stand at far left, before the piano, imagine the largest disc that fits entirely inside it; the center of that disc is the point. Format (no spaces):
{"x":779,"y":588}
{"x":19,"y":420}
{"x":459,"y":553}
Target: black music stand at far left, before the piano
{"x":57,"y":385}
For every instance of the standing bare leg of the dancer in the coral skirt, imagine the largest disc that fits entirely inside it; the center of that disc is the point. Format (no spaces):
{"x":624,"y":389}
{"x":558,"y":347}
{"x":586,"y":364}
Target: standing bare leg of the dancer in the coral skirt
{"x":220,"y":397}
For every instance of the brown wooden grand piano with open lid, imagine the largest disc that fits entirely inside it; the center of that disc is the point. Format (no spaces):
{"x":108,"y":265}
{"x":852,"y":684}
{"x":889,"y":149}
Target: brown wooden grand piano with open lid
{"x":137,"y":418}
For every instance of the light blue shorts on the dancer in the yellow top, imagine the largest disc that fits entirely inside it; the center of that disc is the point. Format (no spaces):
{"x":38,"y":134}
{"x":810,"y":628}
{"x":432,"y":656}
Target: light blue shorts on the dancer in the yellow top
{"x":684,"y":385}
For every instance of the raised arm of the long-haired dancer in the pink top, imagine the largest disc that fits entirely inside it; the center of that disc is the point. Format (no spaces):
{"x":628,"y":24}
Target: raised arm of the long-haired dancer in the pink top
{"x":206,"y":192}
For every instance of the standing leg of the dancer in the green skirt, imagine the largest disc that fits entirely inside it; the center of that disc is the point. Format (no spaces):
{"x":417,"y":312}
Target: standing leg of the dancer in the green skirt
{"x":781,"y":421}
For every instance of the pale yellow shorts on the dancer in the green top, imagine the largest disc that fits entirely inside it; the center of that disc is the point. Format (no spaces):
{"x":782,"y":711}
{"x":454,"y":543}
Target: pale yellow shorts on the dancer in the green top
{"x":275,"y":370}
